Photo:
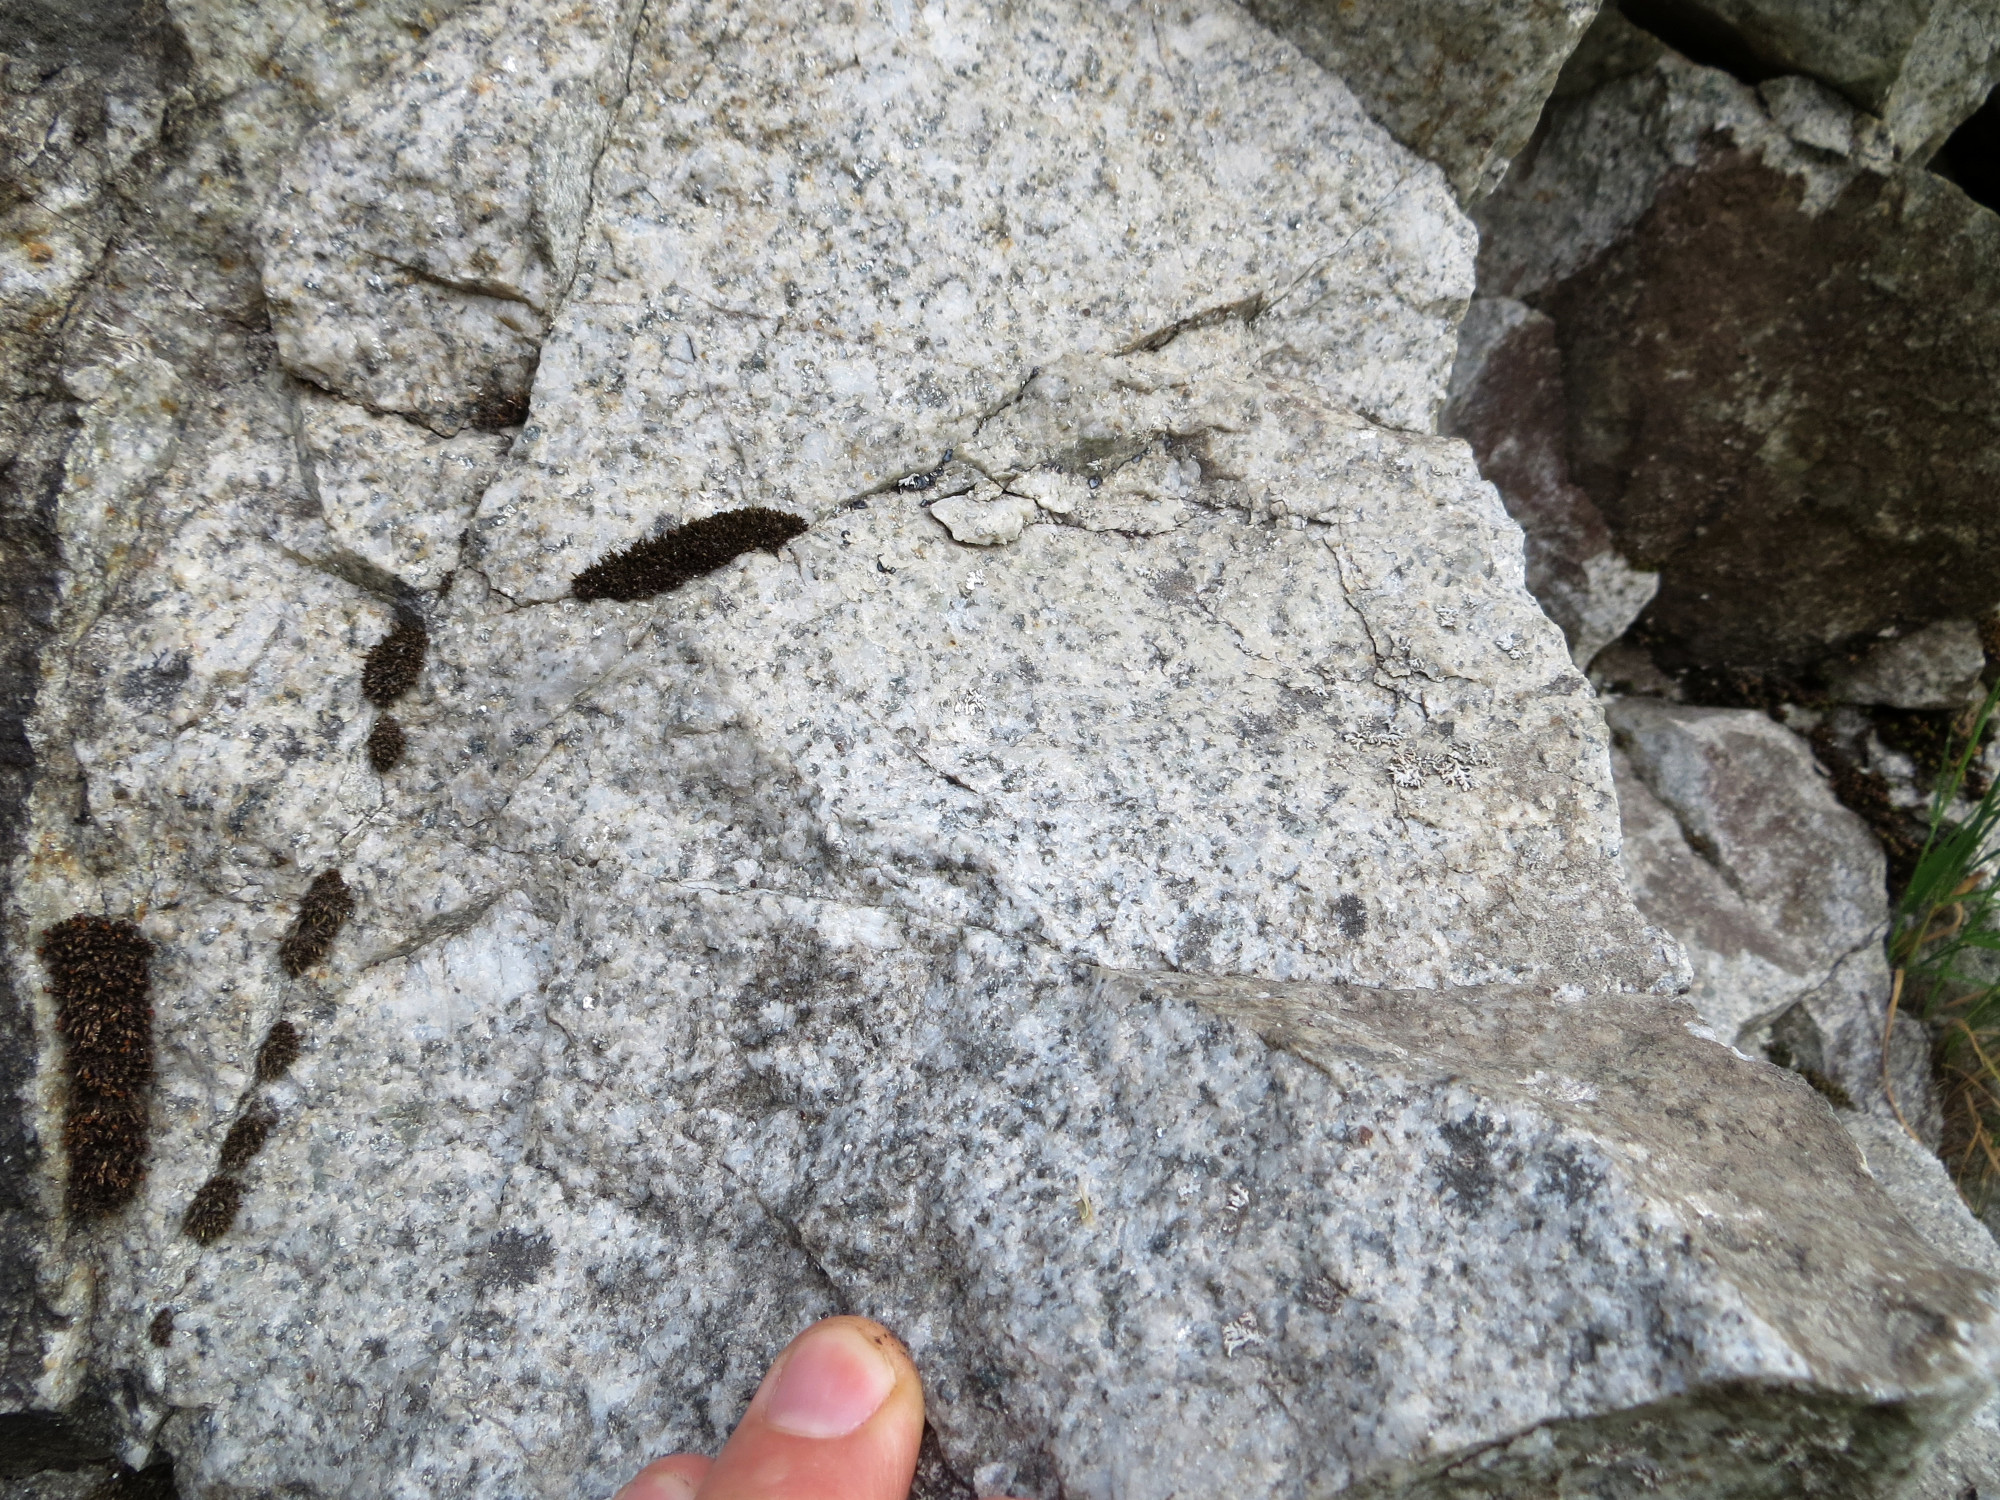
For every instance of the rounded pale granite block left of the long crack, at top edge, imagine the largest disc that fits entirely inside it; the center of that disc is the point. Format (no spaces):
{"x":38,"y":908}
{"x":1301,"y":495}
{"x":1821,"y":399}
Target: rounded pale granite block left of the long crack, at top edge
{"x":421,"y":239}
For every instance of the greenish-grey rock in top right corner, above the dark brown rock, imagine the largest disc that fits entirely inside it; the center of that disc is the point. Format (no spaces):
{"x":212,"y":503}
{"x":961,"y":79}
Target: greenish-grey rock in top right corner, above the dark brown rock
{"x":1917,"y":65}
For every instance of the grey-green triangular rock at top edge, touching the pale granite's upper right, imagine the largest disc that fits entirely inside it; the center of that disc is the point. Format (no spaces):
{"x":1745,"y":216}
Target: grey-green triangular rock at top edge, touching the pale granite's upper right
{"x":1457,"y":81}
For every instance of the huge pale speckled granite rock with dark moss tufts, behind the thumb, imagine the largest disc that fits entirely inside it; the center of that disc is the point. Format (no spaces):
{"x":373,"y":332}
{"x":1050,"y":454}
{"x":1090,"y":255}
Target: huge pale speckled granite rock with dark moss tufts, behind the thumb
{"x":1169,"y":957}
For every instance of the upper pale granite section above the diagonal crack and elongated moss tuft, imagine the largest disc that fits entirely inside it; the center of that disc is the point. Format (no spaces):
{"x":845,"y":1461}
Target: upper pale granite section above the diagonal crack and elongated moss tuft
{"x":909,"y":213}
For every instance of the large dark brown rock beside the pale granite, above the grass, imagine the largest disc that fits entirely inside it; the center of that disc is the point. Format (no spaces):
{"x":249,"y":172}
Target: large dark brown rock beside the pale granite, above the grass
{"x":1823,"y":473}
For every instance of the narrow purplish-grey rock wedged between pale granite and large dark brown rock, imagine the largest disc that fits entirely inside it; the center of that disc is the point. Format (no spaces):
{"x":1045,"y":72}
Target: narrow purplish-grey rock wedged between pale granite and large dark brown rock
{"x":1509,"y":403}
